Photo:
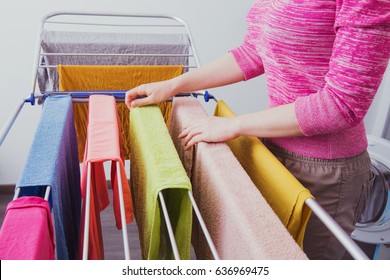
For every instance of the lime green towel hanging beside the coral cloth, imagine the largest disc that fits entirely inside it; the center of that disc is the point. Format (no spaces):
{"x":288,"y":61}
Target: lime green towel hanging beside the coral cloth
{"x":155,"y":167}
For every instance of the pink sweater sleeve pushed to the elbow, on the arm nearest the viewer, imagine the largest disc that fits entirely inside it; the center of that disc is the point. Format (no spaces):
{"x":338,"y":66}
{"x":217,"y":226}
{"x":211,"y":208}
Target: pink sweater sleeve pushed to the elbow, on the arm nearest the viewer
{"x":359,"y":59}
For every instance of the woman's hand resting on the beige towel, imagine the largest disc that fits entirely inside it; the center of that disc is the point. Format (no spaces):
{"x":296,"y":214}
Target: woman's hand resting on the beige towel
{"x":210,"y":129}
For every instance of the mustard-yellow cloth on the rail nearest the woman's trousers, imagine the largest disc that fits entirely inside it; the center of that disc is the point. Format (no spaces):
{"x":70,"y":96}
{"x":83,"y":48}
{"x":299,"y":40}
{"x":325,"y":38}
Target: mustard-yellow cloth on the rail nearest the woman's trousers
{"x":280,"y":188}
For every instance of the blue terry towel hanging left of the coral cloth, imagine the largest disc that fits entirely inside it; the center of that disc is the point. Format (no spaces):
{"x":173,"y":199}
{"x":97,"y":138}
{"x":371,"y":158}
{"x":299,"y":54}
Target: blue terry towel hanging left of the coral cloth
{"x":53,"y":161}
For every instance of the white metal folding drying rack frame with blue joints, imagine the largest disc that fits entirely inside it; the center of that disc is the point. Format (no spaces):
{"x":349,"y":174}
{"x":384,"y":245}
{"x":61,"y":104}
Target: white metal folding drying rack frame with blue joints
{"x":77,"y":19}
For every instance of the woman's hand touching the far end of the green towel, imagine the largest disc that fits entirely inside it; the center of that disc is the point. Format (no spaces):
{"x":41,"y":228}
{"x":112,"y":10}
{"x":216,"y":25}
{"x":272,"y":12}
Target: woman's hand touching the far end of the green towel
{"x":151,"y":93}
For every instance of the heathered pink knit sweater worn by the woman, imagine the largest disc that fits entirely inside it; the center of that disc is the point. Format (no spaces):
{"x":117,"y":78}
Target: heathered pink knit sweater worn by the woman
{"x":329,"y":58}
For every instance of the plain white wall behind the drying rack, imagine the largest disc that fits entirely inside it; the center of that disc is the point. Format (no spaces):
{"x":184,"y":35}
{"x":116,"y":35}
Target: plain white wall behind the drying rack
{"x":216,"y":25}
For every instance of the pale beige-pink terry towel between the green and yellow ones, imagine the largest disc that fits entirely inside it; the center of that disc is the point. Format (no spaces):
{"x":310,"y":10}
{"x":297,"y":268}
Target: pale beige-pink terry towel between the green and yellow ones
{"x":241,"y":223}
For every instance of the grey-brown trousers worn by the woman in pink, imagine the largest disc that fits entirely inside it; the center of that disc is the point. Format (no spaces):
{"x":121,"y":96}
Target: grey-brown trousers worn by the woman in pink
{"x":340,"y":186}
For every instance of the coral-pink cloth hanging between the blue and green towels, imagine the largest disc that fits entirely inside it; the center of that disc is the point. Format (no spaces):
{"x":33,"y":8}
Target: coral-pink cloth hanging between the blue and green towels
{"x":103,"y":144}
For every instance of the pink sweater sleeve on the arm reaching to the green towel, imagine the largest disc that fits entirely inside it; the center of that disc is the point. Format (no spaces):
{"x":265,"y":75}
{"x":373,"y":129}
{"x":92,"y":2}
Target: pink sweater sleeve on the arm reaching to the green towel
{"x":246,"y":54}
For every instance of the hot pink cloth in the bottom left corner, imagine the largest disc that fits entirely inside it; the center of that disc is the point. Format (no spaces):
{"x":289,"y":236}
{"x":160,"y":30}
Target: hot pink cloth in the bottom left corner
{"x":27,"y":231}
